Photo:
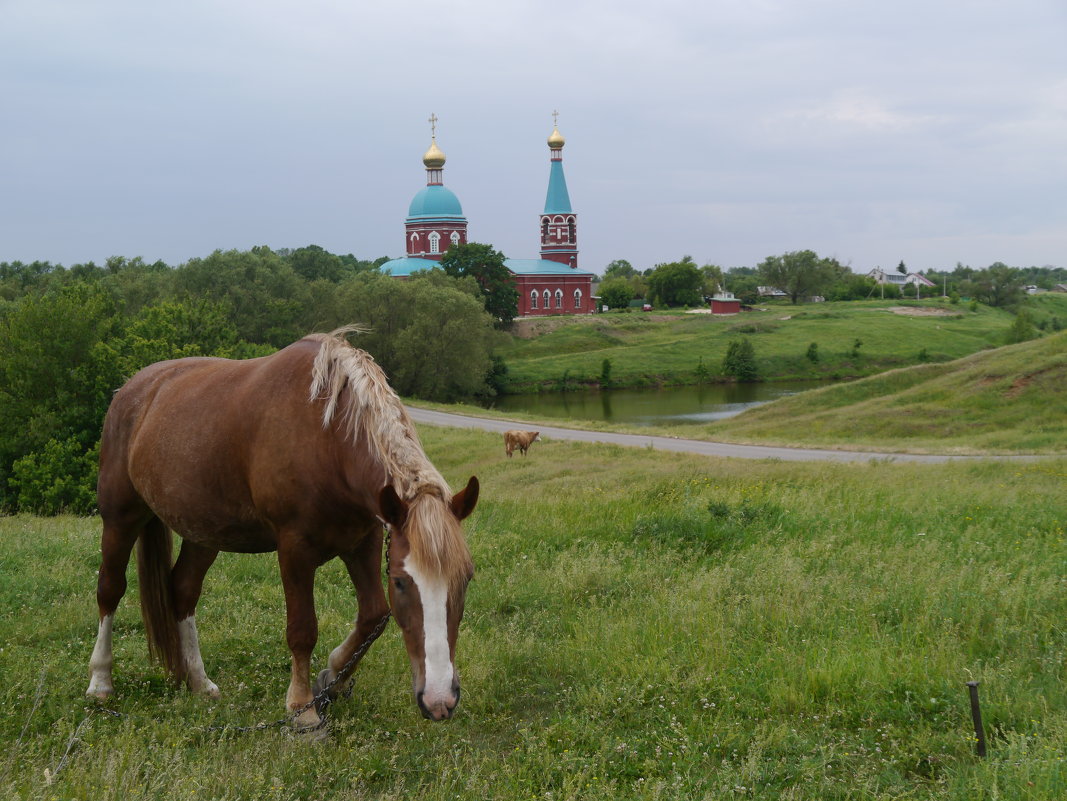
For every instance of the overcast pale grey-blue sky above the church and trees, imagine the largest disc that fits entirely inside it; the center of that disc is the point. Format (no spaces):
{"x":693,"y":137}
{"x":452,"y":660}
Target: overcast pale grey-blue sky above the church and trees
{"x":930,"y":132}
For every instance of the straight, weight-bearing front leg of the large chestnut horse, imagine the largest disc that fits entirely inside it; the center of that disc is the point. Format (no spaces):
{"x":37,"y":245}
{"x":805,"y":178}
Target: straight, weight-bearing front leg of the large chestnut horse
{"x":301,"y":632}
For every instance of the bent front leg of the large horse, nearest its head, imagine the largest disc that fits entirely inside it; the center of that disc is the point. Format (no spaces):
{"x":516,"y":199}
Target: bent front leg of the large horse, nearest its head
{"x":364,"y":568}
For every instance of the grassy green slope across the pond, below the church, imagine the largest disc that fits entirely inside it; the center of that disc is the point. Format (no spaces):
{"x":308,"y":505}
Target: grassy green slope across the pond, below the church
{"x":678,"y":348}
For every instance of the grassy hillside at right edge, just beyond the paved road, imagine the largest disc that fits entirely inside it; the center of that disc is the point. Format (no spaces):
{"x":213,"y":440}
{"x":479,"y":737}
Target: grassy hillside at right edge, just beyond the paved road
{"x":1008,"y":399}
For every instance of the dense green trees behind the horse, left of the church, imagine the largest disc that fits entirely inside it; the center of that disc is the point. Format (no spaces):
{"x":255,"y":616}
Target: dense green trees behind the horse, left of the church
{"x":71,"y":337}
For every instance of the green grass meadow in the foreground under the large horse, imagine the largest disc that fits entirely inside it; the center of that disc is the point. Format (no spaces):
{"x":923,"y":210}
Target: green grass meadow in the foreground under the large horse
{"x":642,"y":626}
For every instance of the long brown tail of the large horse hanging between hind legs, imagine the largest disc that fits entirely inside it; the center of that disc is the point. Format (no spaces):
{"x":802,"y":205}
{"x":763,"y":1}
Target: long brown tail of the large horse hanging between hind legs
{"x":154,"y":565}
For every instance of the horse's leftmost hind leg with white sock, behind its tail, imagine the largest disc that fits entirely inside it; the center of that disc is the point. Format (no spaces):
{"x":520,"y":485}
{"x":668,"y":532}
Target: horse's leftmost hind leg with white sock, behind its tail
{"x":117,"y":544}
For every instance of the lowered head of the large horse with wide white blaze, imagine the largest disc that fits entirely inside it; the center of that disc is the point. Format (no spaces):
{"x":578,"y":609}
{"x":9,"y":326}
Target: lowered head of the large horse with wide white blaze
{"x":429,"y":571}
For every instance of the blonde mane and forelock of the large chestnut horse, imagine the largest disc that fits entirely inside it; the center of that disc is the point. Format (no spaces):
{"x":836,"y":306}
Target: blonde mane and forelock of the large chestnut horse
{"x":371,"y":410}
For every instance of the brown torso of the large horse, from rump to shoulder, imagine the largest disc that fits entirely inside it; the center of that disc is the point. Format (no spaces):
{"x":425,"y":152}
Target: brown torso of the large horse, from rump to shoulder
{"x":202,"y":442}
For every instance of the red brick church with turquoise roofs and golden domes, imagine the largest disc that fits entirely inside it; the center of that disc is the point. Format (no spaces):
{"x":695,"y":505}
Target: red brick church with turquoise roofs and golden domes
{"x":549,"y":285}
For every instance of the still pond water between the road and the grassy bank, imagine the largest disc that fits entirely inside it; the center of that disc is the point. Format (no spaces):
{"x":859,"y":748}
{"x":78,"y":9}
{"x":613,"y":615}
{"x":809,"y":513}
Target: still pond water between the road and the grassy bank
{"x":652,"y":407}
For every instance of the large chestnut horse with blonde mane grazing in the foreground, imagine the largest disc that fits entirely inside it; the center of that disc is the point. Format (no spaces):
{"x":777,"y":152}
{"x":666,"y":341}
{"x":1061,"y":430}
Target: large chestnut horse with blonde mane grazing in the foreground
{"x":305,"y":453}
